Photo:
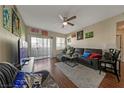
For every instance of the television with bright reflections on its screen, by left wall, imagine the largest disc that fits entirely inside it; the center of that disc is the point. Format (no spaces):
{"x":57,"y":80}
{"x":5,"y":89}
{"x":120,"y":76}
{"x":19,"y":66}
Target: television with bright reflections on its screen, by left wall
{"x":22,"y":51}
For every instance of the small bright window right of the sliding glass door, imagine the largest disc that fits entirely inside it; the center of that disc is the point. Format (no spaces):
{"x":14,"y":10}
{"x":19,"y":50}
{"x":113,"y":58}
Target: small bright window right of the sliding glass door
{"x":60,"y":43}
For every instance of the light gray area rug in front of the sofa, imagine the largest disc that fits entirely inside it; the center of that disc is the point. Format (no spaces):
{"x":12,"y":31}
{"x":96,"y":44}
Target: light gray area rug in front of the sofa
{"x":82,"y":76}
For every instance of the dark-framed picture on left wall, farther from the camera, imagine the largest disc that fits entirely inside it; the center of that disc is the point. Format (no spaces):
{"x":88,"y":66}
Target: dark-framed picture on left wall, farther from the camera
{"x":15,"y":24}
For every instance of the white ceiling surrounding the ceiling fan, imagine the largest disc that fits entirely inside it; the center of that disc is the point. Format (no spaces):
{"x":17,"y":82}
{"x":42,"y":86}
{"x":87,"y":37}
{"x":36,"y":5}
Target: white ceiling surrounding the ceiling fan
{"x":46,"y":16}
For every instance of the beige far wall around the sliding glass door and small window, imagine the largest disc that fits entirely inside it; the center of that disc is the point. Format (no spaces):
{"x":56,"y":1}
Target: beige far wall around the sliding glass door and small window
{"x":50,"y":34}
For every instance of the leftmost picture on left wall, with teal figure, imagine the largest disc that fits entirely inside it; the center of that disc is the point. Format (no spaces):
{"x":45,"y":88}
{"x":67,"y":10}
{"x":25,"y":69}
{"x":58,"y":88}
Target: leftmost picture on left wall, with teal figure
{"x":7,"y":18}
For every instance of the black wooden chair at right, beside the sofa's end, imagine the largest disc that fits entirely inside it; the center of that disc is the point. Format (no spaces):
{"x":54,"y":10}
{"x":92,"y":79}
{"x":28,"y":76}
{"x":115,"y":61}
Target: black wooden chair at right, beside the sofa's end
{"x":111,"y":63}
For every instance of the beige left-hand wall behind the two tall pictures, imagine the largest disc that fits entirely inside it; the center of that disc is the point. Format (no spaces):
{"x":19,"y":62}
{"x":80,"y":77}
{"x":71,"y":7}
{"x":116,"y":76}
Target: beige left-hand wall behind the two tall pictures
{"x":8,"y":41}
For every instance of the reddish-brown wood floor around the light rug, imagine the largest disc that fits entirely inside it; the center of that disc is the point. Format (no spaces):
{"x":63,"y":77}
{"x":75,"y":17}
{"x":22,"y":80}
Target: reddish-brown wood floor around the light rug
{"x":109,"y":80}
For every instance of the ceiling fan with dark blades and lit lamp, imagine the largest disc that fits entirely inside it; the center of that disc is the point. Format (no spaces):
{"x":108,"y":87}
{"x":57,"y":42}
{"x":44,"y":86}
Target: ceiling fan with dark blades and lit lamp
{"x":66,"y":20}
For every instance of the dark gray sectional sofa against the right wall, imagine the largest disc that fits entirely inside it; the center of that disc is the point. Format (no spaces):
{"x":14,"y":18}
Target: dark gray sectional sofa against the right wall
{"x":92,"y":63}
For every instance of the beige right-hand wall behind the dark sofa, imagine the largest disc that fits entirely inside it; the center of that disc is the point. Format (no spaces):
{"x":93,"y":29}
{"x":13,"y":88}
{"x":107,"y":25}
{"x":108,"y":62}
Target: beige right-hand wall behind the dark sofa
{"x":104,"y":34}
